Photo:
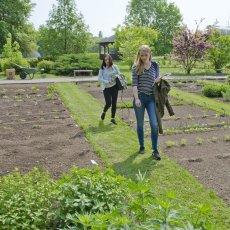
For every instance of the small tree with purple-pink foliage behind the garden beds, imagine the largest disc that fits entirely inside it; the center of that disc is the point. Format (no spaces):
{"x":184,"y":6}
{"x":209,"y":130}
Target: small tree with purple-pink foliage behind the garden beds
{"x":190,"y":47}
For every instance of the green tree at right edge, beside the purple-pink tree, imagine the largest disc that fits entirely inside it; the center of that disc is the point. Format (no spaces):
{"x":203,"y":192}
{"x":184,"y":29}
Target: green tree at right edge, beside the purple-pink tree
{"x":219,"y":54}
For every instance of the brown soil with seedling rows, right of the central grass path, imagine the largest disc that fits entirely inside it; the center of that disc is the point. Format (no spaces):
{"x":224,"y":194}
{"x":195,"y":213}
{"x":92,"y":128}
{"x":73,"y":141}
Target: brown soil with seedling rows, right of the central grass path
{"x":195,"y":138}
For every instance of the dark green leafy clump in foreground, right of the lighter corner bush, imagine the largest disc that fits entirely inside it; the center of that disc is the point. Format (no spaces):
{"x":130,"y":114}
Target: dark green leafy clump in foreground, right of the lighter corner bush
{"x":87,"y":191}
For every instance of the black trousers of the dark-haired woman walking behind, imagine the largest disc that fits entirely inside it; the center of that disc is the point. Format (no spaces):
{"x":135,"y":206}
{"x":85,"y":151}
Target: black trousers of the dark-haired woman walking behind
{"x":110,"y":95}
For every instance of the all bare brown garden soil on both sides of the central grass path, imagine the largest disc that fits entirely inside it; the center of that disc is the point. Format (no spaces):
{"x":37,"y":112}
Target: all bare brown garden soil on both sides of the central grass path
{"x":36,"y":131}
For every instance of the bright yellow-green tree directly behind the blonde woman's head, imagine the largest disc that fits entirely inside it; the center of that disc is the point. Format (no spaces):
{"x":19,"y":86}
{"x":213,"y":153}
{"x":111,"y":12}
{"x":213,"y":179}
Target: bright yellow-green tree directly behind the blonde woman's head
{"x":129,"y":39}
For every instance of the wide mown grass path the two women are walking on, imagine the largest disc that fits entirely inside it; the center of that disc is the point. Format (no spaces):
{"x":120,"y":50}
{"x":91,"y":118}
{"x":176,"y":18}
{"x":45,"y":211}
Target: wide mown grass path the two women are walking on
{"x":118,"y":145}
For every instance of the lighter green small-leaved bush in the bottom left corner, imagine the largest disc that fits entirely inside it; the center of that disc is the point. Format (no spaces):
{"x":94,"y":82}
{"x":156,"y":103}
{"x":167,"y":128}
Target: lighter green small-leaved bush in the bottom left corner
{"x":25,"y":201}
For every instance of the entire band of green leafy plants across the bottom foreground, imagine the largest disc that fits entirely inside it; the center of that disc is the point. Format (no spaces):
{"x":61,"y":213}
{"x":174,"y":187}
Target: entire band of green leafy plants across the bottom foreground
{"x":90,"y":199}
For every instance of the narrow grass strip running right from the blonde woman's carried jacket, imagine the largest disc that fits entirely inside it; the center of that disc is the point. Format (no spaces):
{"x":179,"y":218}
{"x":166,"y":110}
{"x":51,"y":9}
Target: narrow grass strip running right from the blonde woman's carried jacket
{"x":202,"y":101}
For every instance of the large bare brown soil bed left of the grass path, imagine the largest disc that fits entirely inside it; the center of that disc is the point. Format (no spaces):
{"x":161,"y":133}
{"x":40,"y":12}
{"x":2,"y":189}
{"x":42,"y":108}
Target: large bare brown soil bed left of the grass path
{"x":36,"y":130}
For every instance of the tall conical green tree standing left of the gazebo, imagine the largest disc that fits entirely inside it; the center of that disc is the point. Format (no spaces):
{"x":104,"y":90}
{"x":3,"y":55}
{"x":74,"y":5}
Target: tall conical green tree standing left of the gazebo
{"x":65,"y":31}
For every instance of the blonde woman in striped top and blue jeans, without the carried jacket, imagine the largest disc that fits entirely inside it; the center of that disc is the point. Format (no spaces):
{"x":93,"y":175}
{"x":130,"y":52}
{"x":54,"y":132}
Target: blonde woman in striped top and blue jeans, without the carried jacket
{"x":145,"y":73}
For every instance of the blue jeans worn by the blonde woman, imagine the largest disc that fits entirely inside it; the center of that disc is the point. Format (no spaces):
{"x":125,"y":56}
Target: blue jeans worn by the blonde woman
{"x":147,"y":102}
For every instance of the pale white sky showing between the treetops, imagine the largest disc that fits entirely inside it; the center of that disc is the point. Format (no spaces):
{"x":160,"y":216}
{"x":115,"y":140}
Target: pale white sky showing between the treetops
{"x":104,"y":15}
